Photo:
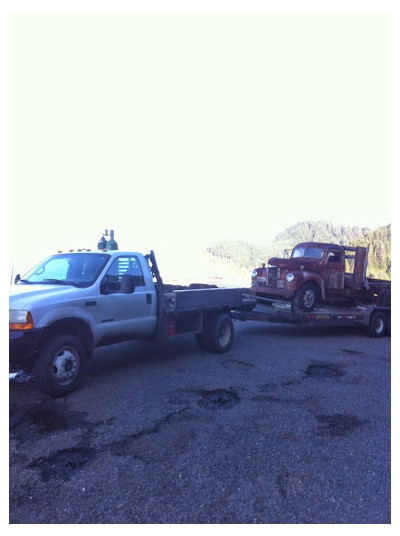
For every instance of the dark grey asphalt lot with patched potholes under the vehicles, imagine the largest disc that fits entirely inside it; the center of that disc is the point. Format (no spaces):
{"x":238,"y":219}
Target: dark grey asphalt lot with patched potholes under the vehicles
{"x":291,"y":426}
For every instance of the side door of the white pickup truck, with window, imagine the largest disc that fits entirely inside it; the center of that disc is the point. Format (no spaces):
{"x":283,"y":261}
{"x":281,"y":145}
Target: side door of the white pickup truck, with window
{"x":126,"y":312}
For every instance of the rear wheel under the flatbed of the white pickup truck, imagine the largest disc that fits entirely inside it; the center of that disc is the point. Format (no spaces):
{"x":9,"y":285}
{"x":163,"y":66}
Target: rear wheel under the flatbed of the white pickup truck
{"x":218,"y":333}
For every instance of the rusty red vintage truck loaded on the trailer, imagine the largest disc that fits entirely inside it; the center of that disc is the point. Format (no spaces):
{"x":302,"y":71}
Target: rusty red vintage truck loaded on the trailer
{"x":316,"y":273}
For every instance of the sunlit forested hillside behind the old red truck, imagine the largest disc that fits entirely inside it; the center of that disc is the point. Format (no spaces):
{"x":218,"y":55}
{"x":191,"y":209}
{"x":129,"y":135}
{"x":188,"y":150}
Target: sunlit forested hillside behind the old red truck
{"x":249,"y":256}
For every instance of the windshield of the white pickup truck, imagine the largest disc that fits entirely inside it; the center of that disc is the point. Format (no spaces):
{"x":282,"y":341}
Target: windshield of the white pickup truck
{"x":78,"y":269}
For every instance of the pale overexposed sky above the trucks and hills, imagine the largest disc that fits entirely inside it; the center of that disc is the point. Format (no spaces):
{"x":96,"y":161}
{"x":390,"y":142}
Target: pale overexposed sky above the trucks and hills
{"x":177,"y":129}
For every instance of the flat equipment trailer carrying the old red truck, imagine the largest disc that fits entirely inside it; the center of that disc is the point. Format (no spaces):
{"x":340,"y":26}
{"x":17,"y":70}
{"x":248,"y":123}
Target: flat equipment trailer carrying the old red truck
{"x":377,"y":319}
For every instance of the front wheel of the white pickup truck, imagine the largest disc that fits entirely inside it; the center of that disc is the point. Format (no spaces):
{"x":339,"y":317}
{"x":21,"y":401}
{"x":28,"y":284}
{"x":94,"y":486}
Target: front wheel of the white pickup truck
{"x":61,"y":364}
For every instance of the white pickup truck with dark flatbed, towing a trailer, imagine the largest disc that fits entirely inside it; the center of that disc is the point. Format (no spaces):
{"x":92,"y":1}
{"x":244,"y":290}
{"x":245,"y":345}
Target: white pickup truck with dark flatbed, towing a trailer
{"x":72,"y":303}
